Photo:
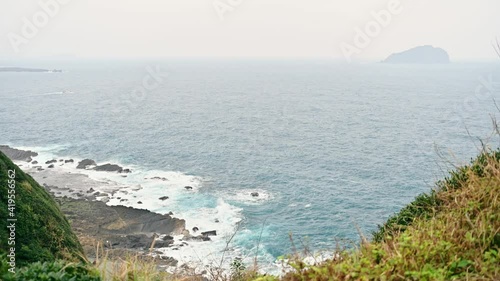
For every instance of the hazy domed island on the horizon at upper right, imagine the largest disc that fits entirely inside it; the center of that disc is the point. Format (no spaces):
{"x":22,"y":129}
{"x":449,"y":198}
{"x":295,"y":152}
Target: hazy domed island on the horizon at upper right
{"x":423,"y":54}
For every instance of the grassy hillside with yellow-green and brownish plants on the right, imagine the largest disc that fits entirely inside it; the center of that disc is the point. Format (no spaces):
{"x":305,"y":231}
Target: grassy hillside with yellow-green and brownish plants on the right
{"x":452,"y":233}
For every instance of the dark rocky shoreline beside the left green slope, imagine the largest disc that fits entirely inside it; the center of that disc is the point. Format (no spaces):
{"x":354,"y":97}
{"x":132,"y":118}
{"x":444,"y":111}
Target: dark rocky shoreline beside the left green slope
{"x":118,"y":231}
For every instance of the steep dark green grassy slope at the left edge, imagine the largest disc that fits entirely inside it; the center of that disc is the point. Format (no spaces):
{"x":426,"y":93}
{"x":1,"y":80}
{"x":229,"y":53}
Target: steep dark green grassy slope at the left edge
{"x":42,"y":232}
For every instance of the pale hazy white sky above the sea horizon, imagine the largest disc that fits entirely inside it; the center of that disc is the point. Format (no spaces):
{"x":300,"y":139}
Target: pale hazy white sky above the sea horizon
{"x":246,"y":28}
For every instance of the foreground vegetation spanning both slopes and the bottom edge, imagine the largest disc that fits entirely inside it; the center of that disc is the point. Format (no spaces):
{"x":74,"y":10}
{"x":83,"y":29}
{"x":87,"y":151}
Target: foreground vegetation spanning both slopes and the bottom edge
{"x":451,"y":233}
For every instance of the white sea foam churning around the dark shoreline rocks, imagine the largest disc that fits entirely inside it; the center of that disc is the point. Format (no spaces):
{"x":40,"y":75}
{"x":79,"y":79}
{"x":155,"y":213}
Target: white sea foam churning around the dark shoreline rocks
{"x":142,"y":189}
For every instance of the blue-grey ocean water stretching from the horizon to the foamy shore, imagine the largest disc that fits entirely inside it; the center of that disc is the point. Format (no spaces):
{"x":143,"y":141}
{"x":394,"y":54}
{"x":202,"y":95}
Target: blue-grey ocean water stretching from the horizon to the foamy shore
{"x":330,"y":147}
